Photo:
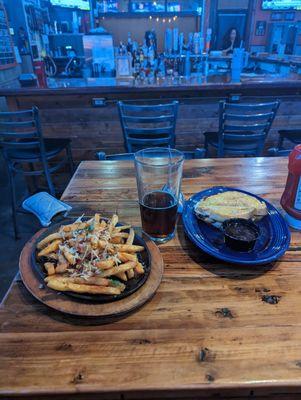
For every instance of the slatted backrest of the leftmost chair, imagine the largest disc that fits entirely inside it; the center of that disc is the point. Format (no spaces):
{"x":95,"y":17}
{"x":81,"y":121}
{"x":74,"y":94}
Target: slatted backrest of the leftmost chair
{"x":21,"y":130}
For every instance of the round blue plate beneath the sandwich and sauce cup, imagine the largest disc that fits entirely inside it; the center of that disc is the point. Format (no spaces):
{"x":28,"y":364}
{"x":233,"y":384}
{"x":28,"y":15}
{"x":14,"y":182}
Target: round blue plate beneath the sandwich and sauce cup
{"x":273,"y":242}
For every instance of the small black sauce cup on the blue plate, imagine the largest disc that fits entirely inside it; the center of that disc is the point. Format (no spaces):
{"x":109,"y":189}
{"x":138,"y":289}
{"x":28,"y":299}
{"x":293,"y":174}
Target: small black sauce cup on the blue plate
{"x":236,"y":242}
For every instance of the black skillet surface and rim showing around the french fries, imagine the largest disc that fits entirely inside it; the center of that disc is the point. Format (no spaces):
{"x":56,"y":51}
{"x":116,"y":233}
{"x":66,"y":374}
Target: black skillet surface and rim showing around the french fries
{"x":131,"y":286}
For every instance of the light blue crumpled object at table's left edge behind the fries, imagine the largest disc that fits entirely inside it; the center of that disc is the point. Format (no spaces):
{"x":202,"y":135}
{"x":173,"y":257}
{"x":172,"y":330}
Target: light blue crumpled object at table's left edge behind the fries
{"x":45,"y":207}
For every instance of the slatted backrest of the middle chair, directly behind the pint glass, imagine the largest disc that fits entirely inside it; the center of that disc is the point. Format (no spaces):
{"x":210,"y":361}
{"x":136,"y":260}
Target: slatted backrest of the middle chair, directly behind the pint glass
{"x":148,"y":125}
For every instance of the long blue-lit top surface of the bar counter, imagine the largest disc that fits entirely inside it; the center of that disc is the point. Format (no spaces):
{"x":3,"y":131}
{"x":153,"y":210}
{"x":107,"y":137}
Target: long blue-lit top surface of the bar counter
{"x":251,"y":84}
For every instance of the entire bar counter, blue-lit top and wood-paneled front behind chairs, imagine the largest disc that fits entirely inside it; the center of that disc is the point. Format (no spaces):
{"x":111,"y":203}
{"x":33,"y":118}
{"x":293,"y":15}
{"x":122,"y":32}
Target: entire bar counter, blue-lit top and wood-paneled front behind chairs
{"x":69,"y":106}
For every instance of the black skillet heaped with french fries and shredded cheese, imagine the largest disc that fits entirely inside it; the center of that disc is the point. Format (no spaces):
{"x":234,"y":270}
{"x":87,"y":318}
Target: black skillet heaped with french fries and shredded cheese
{"x":94,"y":259}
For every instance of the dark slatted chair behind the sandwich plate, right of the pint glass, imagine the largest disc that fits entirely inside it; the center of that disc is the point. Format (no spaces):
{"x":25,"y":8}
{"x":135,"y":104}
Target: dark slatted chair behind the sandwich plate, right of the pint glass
{"x":243,"y":128}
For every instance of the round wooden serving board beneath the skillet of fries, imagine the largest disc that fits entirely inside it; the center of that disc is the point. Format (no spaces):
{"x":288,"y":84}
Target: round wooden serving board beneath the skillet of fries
{"x":104,"y":312}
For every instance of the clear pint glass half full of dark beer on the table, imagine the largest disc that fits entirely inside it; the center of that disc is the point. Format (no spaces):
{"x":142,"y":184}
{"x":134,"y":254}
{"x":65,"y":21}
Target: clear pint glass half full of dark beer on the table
{"x":159,"y":175}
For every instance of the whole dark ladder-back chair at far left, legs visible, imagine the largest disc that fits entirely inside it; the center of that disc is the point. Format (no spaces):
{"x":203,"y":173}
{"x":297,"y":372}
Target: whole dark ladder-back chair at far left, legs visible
{"x":22,"y":142}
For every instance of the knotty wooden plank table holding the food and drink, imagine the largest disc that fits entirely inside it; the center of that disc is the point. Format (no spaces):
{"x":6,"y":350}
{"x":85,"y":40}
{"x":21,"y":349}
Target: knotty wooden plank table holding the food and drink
{"x":207,"y":331}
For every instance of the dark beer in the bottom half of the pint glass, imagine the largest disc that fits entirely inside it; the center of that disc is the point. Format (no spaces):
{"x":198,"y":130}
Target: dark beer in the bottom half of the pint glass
{"x":158,"y":214}
